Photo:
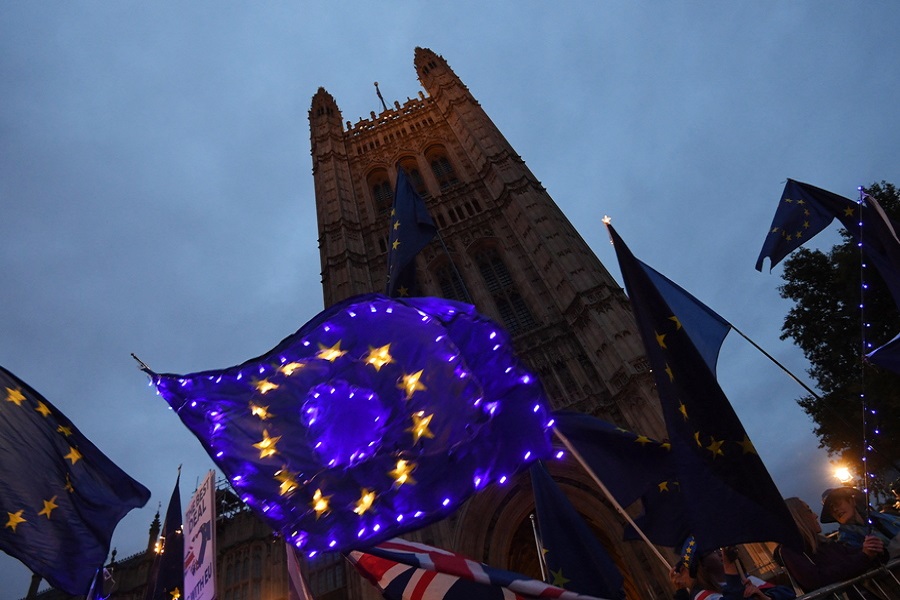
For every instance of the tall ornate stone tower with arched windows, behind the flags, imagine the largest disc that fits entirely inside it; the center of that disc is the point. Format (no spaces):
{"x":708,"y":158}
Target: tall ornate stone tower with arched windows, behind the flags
{"x":505,"y":246}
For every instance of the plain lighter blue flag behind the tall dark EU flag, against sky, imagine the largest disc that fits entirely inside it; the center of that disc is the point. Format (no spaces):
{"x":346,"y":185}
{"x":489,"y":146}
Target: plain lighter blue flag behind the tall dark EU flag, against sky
{"x":705,"y":327}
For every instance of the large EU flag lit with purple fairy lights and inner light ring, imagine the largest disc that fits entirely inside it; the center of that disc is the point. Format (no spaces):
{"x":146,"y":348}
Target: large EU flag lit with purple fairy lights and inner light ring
{"x":378,"y":416}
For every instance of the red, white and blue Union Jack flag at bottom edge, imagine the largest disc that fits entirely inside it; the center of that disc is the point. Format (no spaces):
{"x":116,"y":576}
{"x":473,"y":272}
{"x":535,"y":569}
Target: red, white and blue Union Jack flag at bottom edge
{"x":411,"y":571}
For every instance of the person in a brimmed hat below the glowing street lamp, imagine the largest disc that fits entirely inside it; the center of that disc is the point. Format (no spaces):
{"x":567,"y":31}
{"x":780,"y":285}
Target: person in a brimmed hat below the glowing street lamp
{"x":847,"y":506}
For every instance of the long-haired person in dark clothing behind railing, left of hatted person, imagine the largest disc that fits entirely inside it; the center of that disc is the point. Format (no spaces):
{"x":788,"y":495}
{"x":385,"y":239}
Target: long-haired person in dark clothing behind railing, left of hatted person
{"x":821,"y":561}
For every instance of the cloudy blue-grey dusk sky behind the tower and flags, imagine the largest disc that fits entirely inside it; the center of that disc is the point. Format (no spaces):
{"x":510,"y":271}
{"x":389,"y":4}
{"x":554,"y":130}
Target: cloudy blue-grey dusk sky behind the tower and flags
{"x":157,"y":194}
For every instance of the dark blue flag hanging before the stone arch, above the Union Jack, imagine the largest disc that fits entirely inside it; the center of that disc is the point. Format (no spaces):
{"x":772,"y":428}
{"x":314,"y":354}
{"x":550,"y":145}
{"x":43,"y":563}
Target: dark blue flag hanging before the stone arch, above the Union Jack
{"x":575,"y":559}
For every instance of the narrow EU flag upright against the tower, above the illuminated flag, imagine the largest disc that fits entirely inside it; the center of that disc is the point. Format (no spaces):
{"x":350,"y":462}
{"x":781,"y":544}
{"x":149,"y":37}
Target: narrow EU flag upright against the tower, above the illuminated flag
{"x":411,"y":230}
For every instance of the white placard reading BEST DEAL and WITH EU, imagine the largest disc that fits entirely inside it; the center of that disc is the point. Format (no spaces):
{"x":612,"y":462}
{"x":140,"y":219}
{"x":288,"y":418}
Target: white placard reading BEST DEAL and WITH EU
{"x":200,"y":542}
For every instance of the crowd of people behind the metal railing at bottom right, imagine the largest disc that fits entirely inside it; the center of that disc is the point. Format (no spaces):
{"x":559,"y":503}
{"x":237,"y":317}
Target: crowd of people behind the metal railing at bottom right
{"x":865,"y":539}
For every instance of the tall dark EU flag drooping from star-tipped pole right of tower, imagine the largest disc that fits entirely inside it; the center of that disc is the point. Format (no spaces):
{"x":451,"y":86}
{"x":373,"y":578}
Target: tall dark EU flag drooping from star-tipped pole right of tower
{"x":728,"y":496}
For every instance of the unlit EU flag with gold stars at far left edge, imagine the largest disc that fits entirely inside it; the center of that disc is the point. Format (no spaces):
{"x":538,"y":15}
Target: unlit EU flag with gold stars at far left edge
{"x":61,"y":497}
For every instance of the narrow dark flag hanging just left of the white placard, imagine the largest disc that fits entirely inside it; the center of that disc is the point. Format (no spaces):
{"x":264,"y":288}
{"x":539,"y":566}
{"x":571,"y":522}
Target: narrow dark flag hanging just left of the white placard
{"x":166,"y":579}
